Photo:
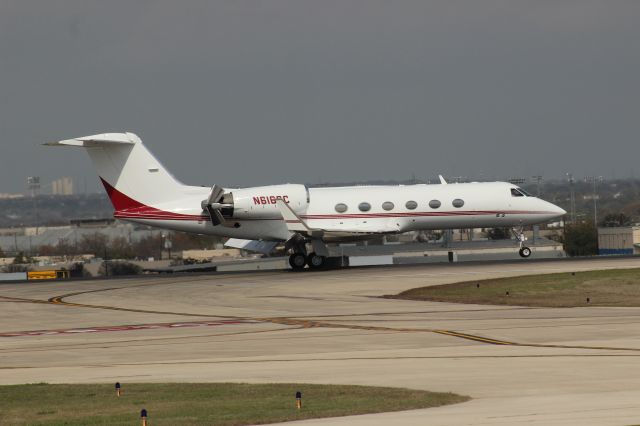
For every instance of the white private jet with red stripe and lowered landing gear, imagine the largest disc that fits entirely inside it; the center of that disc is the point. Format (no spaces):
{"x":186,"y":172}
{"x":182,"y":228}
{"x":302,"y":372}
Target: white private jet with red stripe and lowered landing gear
{"x":143,"y":191}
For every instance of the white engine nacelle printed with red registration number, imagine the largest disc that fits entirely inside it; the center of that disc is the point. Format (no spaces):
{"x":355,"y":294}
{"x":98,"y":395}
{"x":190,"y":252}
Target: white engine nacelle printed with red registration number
{"x":260,"y":202}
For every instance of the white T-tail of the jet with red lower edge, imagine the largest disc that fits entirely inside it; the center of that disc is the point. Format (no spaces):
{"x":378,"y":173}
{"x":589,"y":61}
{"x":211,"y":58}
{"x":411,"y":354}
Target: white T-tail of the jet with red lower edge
{"x":131,"y":175}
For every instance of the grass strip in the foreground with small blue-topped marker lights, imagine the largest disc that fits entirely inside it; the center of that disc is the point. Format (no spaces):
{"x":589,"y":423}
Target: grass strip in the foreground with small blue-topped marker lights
{"x":202,"y":403}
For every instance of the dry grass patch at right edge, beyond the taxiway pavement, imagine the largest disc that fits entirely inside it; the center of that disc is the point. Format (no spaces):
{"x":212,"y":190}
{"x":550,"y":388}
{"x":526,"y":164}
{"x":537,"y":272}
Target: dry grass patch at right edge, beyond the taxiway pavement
{"x":619,"y":287}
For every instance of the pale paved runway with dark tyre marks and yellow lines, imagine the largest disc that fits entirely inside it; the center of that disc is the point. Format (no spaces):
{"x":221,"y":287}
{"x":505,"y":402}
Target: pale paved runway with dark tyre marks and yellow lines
{"x":520,"y":365}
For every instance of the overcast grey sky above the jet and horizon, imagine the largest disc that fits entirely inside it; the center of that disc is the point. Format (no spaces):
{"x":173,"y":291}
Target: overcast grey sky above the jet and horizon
{"x":260,"y":92}
